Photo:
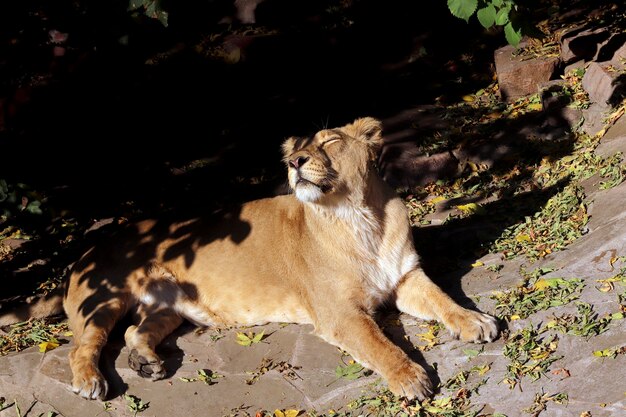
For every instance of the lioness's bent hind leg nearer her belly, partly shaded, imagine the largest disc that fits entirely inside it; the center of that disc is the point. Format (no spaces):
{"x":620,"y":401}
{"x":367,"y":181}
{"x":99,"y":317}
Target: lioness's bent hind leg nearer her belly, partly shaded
{"x":155,"y":323}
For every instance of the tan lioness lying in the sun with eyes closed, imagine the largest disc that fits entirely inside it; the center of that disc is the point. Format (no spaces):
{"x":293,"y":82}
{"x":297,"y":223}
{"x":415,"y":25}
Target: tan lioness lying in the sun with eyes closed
{"x":328,"y":254}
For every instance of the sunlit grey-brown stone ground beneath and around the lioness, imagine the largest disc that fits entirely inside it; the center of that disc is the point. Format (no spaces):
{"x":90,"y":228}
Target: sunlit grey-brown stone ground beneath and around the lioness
{"x":302,"y":373}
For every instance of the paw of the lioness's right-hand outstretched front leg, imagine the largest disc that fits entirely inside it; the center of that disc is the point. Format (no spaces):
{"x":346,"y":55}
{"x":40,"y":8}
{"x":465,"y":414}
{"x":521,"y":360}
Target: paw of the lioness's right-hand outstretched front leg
{"x":472,"y":326}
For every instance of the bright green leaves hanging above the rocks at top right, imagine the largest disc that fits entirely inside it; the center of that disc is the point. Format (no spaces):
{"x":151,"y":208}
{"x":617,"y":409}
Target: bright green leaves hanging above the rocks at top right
{"x":490,"y":13}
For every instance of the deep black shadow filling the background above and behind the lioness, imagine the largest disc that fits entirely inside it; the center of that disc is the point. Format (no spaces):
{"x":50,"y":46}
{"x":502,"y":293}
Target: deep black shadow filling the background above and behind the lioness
{"x":106,"y":127}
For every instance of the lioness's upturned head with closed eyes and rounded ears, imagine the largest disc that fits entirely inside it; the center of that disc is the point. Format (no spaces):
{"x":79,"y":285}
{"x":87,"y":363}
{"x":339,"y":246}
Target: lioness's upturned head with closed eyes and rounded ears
{"x":333,"y":161}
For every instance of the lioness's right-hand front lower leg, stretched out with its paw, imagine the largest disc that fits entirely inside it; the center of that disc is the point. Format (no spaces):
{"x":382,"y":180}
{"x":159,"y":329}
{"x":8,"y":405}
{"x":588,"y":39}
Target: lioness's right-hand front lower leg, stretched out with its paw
{"x":418,"y":296}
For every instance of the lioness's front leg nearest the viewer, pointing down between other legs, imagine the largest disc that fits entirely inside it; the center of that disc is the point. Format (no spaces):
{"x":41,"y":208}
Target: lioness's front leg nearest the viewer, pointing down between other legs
{"x":358,"y":334}
